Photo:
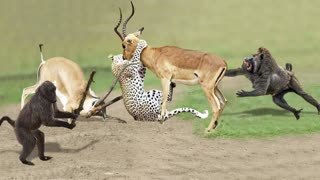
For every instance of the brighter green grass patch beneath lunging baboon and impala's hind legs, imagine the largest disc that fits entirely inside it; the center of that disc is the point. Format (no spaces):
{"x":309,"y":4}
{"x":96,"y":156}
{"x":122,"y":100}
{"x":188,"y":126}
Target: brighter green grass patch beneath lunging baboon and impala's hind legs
{"x":255,"y":116}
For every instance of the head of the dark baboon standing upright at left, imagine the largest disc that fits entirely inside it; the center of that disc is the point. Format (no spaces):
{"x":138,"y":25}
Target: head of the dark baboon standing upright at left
{"x":48,"y":91}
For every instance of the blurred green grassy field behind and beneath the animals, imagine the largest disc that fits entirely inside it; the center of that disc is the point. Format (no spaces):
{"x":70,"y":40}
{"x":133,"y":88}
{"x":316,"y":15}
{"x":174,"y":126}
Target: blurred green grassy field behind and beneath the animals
{"x":83,"y":31}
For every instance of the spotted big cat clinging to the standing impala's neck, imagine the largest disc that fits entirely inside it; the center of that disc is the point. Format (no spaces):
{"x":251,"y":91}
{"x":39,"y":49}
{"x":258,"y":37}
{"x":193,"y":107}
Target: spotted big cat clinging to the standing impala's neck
{"x":141,"y":105}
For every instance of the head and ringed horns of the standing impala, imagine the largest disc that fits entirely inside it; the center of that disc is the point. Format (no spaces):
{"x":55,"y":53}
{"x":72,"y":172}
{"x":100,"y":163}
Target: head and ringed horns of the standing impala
{"x":129,"y":41}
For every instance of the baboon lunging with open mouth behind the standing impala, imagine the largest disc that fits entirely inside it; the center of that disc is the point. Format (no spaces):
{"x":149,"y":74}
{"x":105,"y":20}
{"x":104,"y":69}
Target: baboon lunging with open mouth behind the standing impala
{"x":269,"y":78}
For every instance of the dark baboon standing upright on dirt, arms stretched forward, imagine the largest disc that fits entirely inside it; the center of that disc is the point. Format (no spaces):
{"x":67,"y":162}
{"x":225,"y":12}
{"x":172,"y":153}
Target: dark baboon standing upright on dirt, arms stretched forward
{"x":41,"y":109}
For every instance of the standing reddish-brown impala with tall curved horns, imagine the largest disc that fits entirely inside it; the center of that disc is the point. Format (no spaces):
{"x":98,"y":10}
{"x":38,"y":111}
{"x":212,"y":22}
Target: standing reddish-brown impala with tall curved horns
{"x":171,"y":63}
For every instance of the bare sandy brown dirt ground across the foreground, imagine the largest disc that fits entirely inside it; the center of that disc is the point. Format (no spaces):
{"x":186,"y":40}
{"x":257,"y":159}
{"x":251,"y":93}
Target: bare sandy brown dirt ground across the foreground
{"x":146,"y":150}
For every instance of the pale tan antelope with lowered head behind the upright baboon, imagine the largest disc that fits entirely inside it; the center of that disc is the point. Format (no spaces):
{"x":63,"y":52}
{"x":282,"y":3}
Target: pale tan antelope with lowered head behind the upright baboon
{"x":70,"y":84}
